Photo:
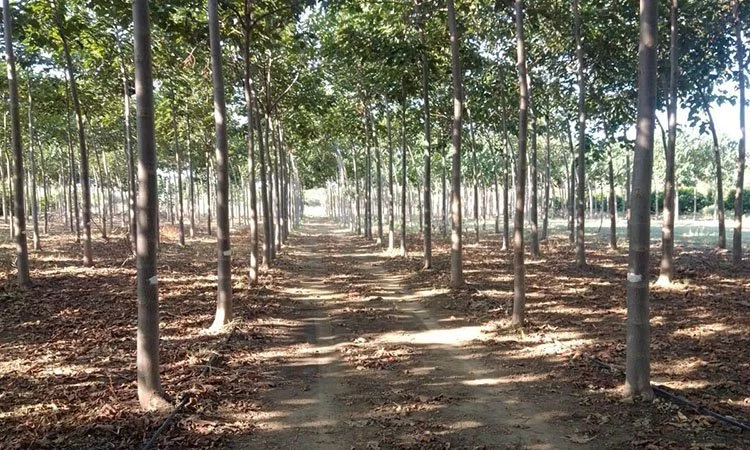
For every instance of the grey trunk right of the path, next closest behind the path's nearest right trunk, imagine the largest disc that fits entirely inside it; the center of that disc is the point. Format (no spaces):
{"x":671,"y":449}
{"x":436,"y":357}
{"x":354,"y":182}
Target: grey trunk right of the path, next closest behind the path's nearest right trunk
{"x":457,"y":274}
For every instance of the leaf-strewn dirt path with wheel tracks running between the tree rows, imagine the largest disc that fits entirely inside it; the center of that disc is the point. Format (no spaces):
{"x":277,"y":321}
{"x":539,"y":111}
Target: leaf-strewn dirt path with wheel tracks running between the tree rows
{"x":362,"y":363}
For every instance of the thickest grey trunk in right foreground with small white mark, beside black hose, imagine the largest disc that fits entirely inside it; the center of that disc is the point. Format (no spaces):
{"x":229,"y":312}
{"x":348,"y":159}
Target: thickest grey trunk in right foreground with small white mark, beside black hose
{"x":637,"y":381}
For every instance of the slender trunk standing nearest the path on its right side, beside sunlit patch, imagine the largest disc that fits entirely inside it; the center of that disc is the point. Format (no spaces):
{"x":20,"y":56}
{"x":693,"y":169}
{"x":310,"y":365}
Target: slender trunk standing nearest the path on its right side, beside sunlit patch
{"x":519,"y":269}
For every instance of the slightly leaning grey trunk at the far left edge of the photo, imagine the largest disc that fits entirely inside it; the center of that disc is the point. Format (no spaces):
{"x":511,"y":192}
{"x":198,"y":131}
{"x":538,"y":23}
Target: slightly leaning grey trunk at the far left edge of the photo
{"x":19,"y":219}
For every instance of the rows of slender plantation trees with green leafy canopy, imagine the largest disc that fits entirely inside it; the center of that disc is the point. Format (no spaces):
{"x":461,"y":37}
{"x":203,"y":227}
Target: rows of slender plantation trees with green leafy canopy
{"x":371,"y":96}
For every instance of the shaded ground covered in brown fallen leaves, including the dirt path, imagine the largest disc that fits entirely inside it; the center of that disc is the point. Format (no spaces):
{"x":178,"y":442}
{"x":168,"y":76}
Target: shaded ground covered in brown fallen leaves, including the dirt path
{"x":344,"y":346}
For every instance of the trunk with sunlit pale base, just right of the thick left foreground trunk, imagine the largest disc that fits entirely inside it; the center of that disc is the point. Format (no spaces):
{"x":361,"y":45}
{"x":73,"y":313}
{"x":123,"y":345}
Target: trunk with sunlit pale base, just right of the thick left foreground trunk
{"x":224,"y":292}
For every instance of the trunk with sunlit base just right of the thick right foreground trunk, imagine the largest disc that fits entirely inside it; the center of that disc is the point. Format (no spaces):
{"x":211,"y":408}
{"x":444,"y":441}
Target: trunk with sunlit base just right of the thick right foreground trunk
{"x":667,"y":271}
